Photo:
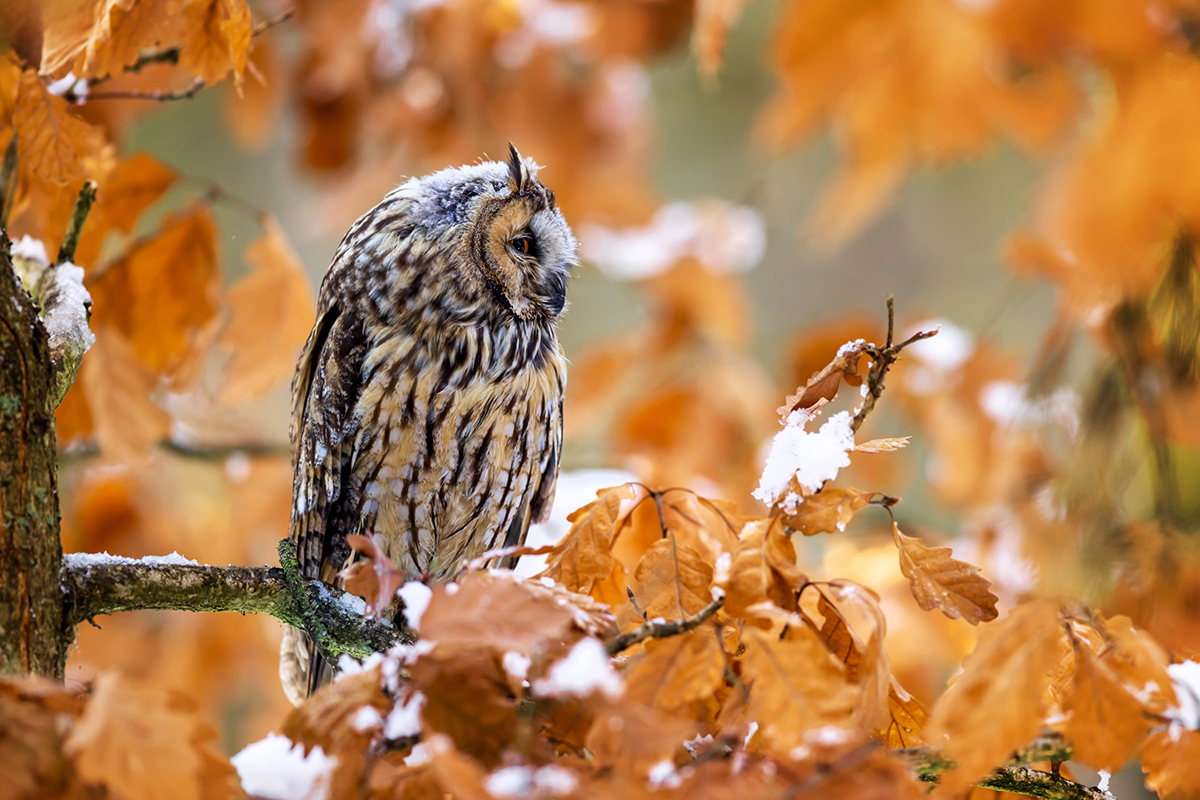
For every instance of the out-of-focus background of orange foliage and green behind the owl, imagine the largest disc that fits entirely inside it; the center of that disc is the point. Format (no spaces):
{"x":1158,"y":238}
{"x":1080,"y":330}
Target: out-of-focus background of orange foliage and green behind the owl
{"x":749,"y":183}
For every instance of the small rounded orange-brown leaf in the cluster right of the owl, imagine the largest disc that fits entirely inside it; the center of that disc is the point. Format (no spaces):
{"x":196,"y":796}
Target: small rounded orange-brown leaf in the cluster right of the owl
{"x":676,"y":580}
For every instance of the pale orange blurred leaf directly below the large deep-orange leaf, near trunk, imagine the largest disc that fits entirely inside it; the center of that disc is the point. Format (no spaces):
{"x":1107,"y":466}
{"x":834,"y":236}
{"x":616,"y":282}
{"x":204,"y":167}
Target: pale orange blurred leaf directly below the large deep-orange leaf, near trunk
{"x":119,"y":393}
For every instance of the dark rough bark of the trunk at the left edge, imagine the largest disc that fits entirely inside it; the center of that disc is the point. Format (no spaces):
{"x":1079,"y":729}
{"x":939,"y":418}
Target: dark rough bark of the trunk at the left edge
{"x":32,"y":633}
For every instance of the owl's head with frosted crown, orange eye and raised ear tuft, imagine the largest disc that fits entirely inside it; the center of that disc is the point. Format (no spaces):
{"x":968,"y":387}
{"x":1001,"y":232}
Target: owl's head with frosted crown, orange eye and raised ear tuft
{"x":508,"y":236}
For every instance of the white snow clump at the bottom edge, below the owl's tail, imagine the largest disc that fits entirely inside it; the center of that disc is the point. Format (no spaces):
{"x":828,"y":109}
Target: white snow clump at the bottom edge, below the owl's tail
{"x":275,"y":769}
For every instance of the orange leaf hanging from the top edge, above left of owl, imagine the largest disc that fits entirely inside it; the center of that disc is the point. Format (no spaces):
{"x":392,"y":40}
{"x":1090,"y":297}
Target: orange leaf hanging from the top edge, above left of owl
{"x":217,"y":39}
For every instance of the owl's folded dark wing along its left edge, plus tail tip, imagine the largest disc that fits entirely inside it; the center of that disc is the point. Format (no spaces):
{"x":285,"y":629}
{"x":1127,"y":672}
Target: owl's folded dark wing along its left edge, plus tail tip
{"x":325,"y":395}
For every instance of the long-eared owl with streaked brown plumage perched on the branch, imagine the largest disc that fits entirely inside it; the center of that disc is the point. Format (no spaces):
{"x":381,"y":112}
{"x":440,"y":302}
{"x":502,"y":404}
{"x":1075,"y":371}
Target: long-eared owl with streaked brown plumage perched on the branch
{"x":428,"y":402}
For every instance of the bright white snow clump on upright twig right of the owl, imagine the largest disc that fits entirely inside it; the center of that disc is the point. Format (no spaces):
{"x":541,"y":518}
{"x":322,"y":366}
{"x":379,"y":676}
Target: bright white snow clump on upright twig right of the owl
{"x":813,"y":459}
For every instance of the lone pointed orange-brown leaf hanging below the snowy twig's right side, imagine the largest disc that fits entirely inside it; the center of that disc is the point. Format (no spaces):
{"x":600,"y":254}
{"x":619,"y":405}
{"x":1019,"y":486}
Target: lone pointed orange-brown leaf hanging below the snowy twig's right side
{"x":939,"y":581}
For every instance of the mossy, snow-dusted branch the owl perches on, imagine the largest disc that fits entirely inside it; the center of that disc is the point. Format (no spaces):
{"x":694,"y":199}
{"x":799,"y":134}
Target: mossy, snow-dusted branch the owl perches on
{"x":93,"y":588}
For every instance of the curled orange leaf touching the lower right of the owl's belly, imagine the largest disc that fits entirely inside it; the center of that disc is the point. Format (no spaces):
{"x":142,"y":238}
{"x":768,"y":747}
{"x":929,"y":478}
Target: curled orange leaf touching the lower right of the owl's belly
{"x":585,"y":556}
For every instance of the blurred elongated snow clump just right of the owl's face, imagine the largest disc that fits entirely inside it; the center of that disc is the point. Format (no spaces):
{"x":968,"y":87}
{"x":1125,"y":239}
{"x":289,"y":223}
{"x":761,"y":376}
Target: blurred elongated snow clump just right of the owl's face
{"x":724,"y":238}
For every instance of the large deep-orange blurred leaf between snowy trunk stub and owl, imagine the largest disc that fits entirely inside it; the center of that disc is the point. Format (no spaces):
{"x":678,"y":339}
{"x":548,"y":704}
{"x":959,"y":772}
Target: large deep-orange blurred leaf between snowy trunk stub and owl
{"x":164,"y":291}
